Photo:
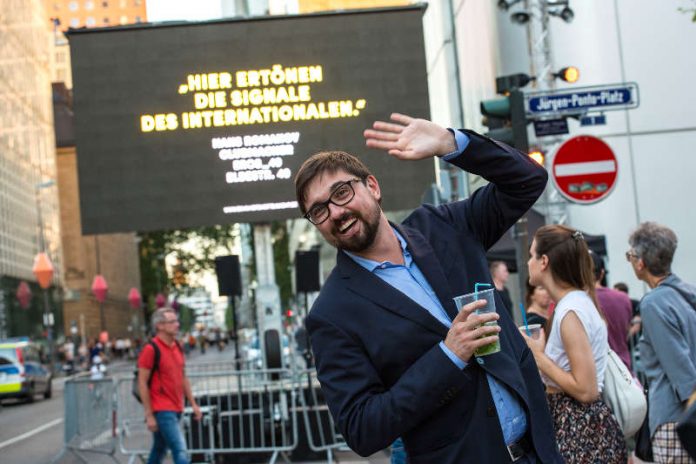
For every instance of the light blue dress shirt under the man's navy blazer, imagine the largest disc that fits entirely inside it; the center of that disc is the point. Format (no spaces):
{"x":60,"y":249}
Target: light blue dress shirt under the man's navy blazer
{"x":410,"y":281}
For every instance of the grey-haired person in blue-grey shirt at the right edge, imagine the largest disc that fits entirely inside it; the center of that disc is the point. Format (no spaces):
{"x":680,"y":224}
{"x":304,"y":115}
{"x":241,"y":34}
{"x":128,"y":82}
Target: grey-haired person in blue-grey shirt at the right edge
{"x":668,"y":345}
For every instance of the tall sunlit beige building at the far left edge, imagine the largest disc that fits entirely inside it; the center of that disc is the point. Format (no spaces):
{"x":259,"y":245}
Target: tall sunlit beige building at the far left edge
{"x":27,"y":211}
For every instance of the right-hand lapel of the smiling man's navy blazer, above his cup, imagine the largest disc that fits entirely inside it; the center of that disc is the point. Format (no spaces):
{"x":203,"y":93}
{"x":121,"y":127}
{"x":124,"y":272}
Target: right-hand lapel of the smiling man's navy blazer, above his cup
{"x":431,"y":267}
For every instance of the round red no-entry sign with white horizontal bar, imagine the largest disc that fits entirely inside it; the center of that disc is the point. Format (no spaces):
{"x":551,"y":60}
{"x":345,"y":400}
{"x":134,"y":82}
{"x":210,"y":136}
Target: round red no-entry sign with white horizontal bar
{"x":584,"y":169}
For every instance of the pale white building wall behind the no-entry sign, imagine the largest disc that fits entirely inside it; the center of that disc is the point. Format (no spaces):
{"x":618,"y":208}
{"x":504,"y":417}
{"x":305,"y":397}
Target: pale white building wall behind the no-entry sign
{"x":611,"y":42}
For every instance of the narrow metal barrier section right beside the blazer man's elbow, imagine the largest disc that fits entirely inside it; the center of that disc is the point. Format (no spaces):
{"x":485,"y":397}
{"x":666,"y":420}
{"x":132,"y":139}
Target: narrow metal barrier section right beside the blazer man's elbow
{"x":322,"y":433}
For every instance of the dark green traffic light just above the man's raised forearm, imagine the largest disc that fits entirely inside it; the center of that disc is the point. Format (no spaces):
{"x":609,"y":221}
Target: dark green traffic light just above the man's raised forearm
{"x":506,"y":120}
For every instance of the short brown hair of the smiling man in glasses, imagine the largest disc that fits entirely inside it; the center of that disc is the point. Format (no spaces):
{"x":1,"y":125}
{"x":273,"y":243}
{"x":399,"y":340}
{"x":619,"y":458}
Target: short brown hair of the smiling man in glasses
{"x":322,"y":162}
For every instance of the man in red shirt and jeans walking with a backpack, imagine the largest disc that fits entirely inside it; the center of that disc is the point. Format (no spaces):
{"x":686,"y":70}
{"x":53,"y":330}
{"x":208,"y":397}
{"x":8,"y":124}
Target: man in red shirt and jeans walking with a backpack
{"x":163,"y":398}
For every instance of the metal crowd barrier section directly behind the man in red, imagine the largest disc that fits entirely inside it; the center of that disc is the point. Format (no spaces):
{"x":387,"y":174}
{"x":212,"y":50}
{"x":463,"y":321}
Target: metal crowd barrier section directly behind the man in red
{"x":252,"y":411}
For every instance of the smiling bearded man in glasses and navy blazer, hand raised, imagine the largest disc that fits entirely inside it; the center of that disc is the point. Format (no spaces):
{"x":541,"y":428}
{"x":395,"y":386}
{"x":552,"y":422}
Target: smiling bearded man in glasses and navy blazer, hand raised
{"x":394,"y":355}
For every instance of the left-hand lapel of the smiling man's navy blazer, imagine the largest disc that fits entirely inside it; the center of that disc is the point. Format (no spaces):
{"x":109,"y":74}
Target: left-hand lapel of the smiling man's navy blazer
{"x":364,"y":283}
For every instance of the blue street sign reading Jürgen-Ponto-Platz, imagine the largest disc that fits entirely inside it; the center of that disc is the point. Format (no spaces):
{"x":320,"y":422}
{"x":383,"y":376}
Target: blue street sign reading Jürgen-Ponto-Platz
{"x":582,"y":99}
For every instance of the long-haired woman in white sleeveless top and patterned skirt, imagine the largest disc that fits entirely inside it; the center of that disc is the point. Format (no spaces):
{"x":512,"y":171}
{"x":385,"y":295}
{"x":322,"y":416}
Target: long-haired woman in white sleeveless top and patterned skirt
{"x":573,"y":361}
